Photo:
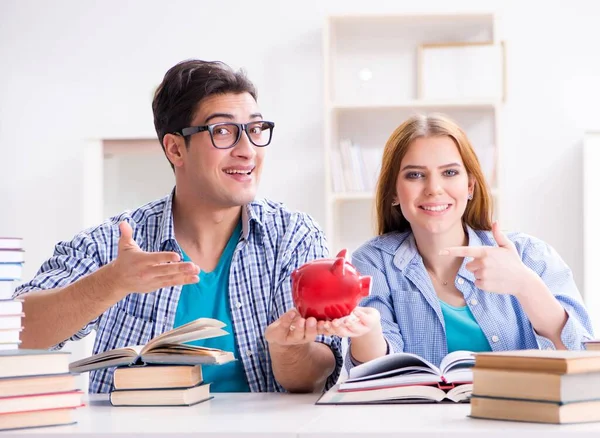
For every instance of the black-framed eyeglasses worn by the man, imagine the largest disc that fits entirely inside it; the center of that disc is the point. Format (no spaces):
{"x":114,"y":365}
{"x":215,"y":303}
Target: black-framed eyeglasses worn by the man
{"x":226,"y":135}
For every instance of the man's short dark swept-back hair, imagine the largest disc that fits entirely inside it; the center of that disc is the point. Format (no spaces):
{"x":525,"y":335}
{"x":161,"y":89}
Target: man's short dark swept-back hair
{"x":185,"y":85}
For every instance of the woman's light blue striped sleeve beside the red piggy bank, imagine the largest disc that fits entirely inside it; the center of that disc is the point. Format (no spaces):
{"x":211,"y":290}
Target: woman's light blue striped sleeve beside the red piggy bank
{"x":367,"y":260}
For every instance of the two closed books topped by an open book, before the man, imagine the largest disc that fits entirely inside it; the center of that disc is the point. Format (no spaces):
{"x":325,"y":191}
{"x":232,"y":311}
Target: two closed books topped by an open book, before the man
{"x":164,"y":372}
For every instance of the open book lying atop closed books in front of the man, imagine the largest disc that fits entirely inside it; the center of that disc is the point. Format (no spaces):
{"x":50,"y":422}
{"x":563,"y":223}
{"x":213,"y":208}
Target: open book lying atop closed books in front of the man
{"x":167,"y":348}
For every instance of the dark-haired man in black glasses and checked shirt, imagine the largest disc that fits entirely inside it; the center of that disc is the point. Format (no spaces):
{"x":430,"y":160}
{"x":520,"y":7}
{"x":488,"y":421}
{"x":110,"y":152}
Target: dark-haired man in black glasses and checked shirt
{"x":207,"y":250}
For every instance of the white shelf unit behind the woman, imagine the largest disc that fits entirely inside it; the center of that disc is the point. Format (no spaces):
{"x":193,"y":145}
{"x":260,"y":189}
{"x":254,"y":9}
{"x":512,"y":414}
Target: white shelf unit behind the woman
{"x":371,"y":87}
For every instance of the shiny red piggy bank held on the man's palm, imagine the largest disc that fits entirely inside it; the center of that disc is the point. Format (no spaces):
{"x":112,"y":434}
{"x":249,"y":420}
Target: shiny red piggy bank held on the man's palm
{"x":328,"y":288}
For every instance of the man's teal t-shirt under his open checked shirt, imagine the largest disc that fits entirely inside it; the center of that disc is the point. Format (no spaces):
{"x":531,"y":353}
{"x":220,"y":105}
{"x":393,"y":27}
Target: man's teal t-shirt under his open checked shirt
{"x":209,"y":298}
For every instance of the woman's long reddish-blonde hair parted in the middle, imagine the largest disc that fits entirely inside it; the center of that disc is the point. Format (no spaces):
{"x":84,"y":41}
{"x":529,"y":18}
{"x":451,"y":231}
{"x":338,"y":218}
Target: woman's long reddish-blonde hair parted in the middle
{"x":478,"y":214}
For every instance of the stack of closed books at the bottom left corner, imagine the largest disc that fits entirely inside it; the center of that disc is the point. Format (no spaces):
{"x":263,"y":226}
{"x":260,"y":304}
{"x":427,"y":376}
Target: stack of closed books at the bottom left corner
{"x":36,"y":389}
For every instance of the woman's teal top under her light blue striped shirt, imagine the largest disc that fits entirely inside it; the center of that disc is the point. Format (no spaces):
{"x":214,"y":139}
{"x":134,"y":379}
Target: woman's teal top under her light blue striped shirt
{"x":462,"y":330}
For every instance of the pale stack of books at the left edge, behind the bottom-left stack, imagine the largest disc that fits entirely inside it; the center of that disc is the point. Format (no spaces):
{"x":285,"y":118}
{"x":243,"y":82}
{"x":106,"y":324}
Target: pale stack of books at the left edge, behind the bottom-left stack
{"x":12,"y":258}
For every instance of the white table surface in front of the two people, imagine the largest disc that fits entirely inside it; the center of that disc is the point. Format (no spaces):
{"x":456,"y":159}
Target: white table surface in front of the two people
{"x":288,"y":415}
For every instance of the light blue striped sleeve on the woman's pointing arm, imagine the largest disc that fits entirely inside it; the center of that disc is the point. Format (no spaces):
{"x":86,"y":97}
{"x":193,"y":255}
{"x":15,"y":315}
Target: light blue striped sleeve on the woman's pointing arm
{"x":547,"y":263}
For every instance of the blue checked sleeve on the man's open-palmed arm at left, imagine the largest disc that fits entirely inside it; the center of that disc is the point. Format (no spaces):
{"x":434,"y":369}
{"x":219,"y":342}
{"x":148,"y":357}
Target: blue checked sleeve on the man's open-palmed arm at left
{"x":70,"y":262}
